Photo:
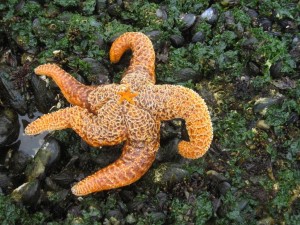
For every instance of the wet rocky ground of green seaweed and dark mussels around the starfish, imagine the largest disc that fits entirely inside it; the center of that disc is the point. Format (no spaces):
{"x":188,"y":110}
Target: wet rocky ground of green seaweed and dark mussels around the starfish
{"x":242,"y":57}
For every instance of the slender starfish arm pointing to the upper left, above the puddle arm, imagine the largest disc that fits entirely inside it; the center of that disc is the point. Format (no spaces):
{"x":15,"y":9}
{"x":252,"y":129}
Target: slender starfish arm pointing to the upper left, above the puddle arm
{"x":75,"y":92}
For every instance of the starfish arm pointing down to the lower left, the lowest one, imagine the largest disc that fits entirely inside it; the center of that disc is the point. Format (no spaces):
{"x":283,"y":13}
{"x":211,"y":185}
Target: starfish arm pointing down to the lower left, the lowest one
{"x":136,"y":159}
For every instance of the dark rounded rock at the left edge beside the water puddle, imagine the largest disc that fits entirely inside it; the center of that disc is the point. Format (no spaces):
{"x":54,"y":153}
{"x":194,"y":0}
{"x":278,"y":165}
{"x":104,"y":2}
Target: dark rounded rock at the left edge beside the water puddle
{"x":9,"y":126}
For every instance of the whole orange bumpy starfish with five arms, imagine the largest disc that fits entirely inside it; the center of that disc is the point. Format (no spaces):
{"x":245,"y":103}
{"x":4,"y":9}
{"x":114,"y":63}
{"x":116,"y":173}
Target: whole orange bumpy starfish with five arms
{"x":130,"y":112}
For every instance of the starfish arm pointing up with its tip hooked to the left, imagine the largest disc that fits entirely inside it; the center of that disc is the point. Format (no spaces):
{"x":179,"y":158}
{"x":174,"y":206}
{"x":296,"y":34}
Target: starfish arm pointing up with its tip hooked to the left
{"x":143,"y":59}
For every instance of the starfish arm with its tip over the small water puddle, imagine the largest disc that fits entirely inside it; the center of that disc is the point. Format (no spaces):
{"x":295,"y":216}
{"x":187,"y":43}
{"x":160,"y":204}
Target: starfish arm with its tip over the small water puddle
{"x":96,"y":130}
